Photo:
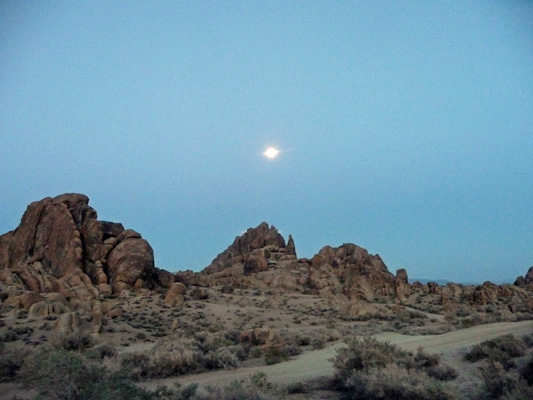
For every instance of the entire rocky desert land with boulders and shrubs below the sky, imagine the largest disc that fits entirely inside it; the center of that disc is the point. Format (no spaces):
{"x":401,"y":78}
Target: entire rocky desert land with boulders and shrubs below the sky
{"x":113,"y":326}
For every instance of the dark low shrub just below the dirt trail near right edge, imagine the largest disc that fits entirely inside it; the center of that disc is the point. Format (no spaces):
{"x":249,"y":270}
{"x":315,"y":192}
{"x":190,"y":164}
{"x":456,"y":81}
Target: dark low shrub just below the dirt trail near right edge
{"x":502,"y":350}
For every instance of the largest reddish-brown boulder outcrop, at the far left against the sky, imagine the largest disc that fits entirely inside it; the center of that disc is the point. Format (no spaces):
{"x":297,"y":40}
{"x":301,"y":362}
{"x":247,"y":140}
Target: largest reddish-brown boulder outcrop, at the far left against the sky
{"x":61,"y":246}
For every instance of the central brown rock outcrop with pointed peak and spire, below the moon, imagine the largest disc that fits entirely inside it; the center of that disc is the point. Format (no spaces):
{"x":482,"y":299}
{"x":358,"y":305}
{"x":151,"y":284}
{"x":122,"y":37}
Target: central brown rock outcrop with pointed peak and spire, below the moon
{"x":260,"y":260}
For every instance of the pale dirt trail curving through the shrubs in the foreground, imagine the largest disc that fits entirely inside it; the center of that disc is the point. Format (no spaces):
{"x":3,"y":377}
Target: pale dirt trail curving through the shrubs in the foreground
{"x":316,"y":364}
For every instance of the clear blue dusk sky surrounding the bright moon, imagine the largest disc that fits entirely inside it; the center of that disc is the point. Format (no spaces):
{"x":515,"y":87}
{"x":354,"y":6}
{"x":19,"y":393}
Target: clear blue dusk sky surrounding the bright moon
{"x":405,"y":127}
